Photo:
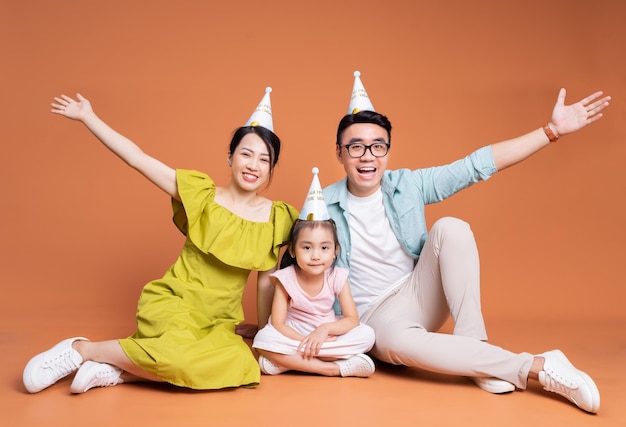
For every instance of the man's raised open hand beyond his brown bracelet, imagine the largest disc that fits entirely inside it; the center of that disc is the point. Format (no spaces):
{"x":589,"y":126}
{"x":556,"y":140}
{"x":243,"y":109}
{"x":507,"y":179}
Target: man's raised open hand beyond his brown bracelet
{"x":570,"y":118}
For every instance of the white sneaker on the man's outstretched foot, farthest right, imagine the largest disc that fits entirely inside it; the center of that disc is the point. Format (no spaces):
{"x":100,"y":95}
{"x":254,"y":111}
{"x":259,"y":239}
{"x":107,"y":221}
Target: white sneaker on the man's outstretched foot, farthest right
{"x":561,"y":377}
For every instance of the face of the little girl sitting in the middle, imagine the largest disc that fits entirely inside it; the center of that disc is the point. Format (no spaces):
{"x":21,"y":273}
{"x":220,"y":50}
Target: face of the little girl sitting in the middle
{"x":315,"y":250}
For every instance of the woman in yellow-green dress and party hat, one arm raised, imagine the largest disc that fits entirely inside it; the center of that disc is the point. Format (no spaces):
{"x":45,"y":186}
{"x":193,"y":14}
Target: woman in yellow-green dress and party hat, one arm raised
{"x":186,"y":320}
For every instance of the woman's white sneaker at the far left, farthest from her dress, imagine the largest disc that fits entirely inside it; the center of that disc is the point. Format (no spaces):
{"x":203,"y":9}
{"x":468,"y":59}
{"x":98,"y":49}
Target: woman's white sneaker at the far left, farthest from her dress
{"x":50,"y":366}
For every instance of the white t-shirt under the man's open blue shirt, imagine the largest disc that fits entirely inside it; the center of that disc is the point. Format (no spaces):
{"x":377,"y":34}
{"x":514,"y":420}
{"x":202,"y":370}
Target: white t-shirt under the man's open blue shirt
{"x":378,"y":263}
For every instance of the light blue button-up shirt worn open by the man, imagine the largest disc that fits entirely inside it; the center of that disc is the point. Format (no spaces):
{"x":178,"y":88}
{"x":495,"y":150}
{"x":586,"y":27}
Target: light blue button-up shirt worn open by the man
{"x":405,"y":194}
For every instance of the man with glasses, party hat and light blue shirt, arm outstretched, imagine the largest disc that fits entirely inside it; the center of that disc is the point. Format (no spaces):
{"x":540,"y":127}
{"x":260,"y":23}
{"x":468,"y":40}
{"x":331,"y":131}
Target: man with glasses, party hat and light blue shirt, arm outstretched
{"x":406,"y":282}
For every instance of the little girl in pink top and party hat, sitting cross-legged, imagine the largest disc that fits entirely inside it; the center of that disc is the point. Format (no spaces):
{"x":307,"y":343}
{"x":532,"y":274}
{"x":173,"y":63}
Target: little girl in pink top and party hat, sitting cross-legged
{"x":303,"y":333}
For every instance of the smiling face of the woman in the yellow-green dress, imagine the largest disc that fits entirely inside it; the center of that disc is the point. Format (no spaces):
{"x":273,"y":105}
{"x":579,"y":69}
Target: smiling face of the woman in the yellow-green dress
{"x":250,"y":163}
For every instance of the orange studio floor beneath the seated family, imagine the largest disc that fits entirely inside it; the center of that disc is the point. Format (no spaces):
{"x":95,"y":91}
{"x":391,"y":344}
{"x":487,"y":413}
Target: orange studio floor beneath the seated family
{"x":392,"y":396}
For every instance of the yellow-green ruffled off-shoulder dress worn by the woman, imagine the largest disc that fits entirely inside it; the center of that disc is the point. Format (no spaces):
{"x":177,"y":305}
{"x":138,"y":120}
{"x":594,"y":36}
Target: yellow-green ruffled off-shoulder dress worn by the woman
{"x":186,"y":320}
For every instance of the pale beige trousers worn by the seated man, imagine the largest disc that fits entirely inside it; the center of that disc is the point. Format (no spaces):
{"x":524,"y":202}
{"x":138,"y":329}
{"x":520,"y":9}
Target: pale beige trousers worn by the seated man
{"x":445,"y":281}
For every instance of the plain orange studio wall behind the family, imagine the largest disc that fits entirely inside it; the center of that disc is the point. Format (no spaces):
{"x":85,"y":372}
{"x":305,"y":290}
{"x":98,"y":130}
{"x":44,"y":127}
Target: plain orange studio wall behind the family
{"x":82,"y":232}
